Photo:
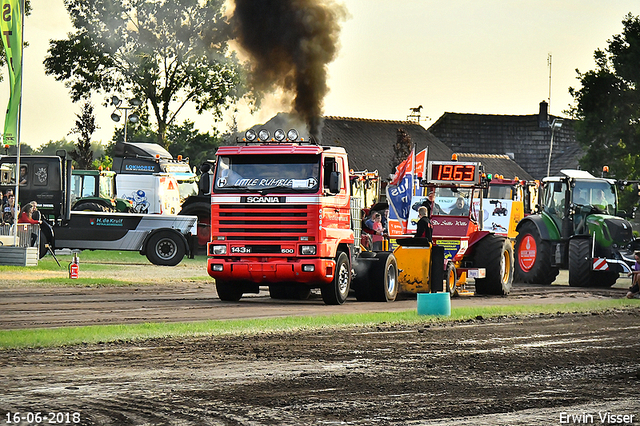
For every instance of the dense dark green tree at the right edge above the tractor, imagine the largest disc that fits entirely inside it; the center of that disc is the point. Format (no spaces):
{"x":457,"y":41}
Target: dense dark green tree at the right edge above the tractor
{"x":608,"y":106}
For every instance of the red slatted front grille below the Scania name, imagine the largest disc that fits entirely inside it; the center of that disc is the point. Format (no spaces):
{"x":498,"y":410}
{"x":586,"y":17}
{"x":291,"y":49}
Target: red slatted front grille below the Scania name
{"x":261,"y":222}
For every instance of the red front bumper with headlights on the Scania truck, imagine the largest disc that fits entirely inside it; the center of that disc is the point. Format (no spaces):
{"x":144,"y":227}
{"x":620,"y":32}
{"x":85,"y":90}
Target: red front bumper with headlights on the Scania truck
{"x":314,"y":271}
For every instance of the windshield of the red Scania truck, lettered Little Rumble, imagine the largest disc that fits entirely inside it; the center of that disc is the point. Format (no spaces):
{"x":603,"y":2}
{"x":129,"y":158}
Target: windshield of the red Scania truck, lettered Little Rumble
{"x":300,"y":173}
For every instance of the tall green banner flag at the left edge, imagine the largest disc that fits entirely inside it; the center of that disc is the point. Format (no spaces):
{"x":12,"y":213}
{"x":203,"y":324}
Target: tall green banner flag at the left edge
{"x":11,"y":27}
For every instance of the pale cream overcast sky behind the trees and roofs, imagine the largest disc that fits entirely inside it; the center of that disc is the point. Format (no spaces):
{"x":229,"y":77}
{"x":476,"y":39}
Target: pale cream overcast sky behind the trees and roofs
{"x":467,"y":56}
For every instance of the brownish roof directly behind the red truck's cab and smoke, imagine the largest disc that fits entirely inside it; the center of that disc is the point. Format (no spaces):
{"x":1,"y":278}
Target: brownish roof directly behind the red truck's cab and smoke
{"x":368,"y":142}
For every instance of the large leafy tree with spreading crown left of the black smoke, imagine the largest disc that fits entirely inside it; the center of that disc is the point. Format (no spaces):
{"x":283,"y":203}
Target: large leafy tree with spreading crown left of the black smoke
{"x":166,"y":53}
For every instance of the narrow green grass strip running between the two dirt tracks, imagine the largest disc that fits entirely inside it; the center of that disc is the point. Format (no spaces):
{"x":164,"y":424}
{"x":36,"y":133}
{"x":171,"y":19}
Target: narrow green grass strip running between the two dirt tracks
{"x":52,"y":337}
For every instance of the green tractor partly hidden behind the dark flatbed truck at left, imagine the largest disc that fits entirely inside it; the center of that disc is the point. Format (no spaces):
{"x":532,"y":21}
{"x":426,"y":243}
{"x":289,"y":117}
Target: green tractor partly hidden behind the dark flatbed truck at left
{"x":95,"y":190}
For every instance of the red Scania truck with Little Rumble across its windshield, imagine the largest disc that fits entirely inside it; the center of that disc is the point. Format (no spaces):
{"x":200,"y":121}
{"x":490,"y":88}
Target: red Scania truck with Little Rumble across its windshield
{"x":282,"y":215}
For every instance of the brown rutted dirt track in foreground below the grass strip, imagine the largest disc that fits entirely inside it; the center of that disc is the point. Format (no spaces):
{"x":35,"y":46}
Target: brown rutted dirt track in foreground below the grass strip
{"x":507,"y":371}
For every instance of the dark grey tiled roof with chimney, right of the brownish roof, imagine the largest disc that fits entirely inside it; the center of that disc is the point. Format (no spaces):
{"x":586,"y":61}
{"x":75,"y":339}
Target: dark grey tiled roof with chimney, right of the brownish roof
{"x":526,"y":137}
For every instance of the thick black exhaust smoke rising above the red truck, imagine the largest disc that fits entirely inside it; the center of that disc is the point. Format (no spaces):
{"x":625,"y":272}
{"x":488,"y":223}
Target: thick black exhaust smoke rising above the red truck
{"x":291,"y":42}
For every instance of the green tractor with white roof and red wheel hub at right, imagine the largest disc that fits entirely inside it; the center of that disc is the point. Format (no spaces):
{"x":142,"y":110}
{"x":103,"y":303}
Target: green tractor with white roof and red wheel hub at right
{"x":578,"y":227}
